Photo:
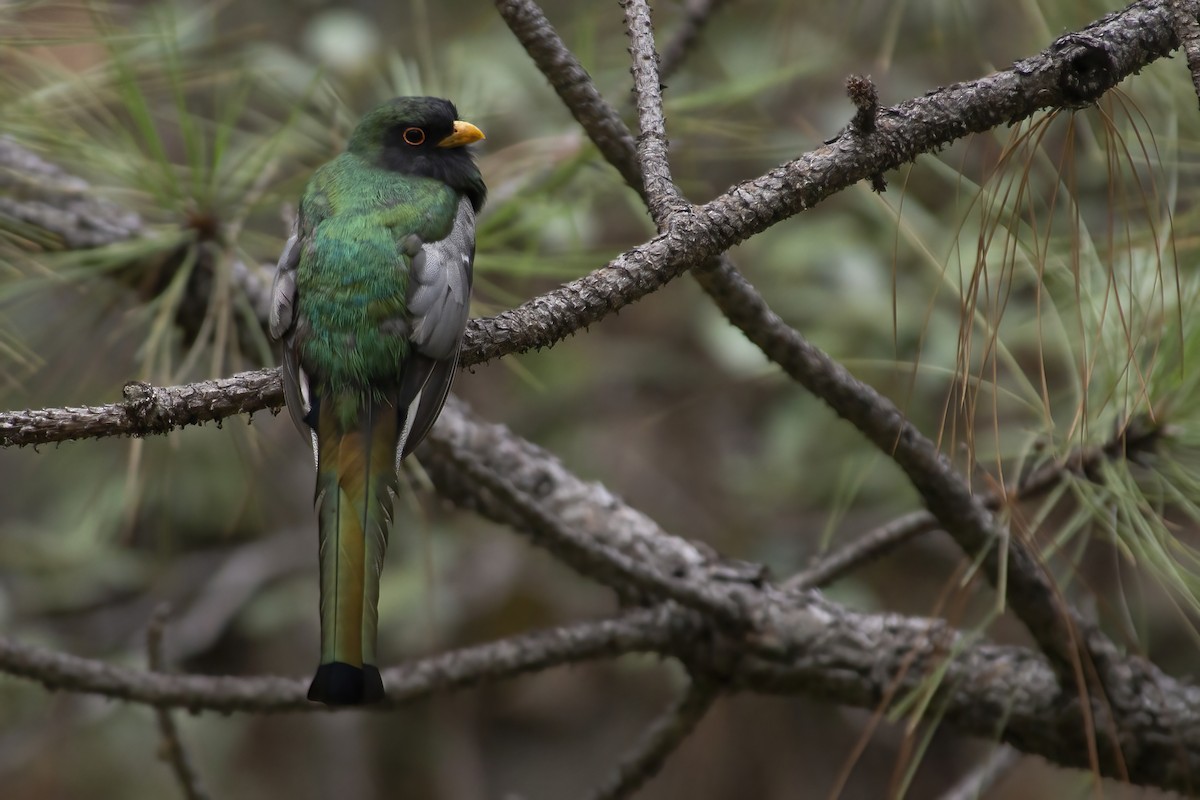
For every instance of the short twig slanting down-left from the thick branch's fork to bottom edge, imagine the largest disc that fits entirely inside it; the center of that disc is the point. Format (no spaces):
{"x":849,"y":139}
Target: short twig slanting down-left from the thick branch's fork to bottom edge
{"x":662,"y":739}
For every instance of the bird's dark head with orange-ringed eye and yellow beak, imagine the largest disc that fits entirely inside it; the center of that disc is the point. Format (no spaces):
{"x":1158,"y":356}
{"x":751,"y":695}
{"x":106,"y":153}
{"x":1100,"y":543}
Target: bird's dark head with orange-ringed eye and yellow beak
{"x":422,"y":136}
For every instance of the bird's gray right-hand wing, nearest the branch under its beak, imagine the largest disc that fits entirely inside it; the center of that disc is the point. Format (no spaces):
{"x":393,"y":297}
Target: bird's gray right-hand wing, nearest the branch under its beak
{"x":439,"y":305}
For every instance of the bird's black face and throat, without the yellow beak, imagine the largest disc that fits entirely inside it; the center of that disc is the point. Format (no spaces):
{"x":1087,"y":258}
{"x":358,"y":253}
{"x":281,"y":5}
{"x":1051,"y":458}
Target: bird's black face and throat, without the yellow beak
{"x":411,"y":147}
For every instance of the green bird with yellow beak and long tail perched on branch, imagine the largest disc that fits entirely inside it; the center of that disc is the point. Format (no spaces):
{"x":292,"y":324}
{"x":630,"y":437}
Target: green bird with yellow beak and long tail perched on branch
{"x":371,"y":300}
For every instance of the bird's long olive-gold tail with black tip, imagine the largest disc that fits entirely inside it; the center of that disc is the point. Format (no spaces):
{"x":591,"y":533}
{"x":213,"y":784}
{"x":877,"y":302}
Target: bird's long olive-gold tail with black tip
{"x":356,"y":485}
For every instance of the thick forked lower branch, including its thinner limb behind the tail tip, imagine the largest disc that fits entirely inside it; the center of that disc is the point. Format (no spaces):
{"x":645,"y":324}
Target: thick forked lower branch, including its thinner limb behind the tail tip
{"x":809,"y":646}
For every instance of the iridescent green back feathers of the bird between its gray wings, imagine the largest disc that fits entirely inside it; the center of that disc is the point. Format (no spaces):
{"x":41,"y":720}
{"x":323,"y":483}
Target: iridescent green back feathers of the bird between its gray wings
{"x":353,"y":275}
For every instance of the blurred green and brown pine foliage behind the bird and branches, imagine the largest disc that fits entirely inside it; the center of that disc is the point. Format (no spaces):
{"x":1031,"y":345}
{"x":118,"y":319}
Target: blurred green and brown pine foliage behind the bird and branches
{"x":1019,"y":294}
